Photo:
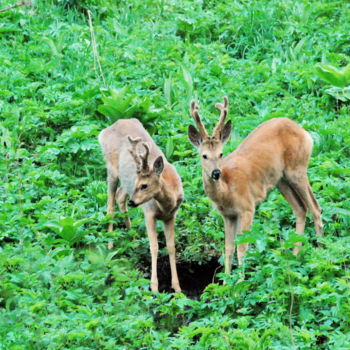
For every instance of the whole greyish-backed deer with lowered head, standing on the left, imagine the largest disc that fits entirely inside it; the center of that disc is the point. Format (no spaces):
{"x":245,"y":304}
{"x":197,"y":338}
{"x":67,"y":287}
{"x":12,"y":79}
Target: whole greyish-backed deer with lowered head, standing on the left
{"x":147,"y":179}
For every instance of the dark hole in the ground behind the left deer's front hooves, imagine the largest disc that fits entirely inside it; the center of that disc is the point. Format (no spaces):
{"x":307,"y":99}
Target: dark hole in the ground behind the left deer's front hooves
{"x":193,"y":277}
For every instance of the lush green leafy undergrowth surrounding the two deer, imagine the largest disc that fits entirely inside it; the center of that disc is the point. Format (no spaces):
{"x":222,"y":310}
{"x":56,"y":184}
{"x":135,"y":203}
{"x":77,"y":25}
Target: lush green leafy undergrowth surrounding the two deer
{"x":59,"y":287}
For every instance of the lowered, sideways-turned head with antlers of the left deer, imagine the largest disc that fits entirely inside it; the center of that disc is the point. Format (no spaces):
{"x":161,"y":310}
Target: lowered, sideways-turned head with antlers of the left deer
{"x":147,"y":183}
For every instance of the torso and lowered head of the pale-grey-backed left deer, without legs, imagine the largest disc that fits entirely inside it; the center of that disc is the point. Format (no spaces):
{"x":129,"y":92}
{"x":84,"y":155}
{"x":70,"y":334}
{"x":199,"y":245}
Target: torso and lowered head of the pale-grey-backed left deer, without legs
{"x":141,"y":167}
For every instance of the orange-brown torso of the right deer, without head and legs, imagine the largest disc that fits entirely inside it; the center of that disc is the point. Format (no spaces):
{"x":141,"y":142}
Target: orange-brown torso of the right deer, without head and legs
{"x":260,"y":161}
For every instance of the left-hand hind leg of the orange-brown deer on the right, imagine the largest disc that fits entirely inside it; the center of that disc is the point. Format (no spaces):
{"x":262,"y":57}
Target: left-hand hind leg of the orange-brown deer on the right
{"x":298,"y":207}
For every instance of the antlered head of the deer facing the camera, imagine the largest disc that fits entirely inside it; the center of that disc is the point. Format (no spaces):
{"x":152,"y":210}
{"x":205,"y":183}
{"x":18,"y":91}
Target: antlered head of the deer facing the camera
{"x":210,"y":147}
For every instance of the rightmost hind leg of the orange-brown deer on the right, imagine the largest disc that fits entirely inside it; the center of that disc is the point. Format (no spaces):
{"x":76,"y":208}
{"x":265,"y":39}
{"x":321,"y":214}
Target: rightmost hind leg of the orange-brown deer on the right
{"x":300,"y":184}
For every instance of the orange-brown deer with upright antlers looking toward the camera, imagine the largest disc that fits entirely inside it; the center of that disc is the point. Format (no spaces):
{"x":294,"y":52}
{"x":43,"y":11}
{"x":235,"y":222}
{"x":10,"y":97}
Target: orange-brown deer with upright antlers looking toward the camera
{"x":276,"y":153}
